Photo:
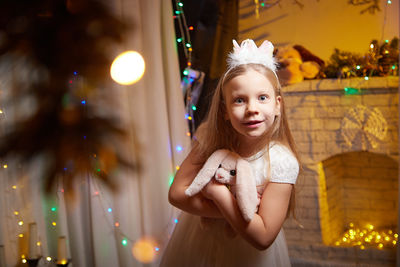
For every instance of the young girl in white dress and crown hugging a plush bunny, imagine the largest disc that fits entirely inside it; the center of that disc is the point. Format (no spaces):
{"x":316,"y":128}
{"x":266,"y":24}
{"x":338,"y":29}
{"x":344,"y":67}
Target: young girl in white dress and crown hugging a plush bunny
{"x":247,"y":116}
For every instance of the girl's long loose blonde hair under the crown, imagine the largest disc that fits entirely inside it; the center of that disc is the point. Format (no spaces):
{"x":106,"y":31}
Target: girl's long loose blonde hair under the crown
{"x":217,"y":132}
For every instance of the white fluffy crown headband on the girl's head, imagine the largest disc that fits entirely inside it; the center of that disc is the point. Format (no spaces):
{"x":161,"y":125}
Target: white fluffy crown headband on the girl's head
{"x":248,"y":52}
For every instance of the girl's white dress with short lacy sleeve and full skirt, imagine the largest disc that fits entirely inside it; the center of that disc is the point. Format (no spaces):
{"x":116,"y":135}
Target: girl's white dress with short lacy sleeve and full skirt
{"x":193,"y":245}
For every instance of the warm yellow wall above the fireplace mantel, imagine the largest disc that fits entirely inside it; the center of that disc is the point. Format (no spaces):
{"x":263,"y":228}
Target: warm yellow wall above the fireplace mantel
{"x":320,"y":26}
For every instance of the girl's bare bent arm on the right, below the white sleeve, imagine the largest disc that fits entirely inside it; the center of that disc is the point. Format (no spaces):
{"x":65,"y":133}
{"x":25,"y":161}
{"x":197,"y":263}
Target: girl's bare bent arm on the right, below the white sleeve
{"x":262,"y":230}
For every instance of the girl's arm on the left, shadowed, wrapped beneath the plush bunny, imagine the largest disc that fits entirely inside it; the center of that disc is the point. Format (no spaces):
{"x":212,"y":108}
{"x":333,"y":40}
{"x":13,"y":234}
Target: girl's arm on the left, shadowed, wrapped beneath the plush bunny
{"x":197,"y":204}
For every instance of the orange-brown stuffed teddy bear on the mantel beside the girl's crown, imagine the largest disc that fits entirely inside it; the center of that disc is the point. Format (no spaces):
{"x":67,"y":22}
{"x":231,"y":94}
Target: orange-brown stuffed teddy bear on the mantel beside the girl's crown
{"x":297,"y":64}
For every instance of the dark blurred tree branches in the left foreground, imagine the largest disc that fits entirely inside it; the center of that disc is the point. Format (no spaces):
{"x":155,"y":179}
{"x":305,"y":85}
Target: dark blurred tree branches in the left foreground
{"x":64,"y":47}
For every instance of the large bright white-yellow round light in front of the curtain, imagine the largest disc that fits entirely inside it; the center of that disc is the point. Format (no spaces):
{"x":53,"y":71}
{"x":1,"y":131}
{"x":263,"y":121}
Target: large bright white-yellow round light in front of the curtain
{"x":127,"y":68}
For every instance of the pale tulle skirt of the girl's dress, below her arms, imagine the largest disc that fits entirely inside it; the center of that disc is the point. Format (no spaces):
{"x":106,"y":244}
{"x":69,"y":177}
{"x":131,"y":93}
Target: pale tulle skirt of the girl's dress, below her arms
{"x":192,"y":244}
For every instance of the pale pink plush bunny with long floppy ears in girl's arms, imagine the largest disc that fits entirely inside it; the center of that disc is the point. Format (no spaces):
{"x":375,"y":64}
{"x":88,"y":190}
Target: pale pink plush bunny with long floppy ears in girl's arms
{"x":229,"y":168}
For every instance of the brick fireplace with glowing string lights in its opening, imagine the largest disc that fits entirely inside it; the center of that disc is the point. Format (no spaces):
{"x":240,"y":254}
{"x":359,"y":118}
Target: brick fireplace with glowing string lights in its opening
{"x":347,"y":136}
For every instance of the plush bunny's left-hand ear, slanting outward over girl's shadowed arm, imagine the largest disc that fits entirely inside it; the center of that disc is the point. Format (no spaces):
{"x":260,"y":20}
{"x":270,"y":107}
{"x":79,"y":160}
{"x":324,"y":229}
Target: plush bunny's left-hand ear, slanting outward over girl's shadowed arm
{"x":207,"y":172}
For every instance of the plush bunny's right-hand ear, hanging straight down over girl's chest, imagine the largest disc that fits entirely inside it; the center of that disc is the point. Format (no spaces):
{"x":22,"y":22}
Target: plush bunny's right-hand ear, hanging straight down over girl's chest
{"x":246,"y":190}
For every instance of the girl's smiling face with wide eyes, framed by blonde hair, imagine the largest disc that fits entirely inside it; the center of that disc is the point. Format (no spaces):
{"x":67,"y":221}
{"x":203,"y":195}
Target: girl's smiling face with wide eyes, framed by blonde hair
{"x":251,"y":105}
